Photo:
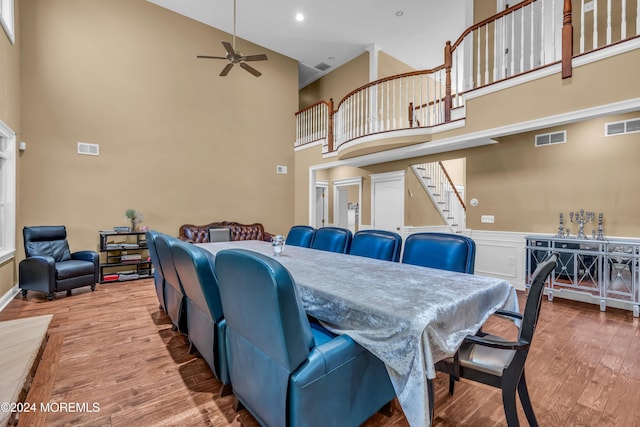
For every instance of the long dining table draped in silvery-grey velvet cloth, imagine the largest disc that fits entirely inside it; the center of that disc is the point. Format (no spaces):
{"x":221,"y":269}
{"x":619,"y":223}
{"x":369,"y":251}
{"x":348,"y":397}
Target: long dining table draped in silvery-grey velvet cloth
{"x":409,"y":316}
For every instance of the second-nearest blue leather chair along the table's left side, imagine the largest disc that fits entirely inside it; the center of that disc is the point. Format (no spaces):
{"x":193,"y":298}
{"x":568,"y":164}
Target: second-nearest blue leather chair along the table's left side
{"x":205,"y":319}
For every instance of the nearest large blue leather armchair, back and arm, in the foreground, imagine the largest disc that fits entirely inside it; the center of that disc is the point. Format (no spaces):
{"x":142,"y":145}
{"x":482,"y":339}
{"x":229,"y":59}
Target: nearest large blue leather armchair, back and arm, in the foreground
{"x":284,"y":372}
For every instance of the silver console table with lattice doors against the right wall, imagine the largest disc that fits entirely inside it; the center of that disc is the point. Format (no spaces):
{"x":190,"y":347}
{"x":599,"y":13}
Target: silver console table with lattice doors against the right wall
{"x":603,"y":272}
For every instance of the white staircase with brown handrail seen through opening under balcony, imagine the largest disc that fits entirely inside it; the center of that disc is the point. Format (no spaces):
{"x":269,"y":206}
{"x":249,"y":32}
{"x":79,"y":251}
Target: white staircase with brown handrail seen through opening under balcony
{"x":443,"y":193}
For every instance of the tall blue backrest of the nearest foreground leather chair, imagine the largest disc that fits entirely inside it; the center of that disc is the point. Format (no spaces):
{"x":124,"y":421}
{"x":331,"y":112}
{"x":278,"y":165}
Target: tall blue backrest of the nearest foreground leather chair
{"x":268,"y":334}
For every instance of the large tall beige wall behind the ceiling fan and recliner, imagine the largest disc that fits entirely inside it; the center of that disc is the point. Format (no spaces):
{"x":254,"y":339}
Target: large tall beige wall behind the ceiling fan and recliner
{"x":177,"y":142}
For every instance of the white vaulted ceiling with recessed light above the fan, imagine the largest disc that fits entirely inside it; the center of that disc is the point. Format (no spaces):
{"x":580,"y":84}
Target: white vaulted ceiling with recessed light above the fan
{"x":336,"y":31}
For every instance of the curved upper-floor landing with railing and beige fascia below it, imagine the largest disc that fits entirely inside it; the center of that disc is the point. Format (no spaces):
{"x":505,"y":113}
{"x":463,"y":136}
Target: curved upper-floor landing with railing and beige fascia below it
{"x":535,"y":65}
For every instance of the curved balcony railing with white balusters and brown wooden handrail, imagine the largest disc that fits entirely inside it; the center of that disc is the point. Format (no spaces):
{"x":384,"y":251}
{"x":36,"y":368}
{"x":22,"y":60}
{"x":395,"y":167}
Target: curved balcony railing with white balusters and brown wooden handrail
{"x":523,"y":38}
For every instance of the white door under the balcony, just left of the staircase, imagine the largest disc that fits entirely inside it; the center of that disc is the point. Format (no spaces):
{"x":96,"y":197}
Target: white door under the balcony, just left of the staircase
{"x":387,"y":201}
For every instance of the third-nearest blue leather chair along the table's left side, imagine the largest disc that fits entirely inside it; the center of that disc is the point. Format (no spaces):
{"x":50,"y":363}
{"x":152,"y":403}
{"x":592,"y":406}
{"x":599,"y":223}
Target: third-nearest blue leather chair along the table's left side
{"x":174,"y":297}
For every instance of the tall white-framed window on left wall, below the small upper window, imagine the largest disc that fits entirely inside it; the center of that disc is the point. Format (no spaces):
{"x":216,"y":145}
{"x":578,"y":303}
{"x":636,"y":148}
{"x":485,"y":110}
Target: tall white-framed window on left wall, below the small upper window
{"x":7,"y":193}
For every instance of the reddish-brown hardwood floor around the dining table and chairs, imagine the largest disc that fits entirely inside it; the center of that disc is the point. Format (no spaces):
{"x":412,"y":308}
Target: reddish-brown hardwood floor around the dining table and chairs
{"x":115,"y":348}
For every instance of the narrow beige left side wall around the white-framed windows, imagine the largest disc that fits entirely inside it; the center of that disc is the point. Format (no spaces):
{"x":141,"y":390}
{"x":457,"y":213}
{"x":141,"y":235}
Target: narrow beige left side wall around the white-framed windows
{"x":10,"y":115}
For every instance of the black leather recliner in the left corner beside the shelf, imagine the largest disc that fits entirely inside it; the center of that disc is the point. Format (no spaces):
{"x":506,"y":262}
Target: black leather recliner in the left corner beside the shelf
{"x":51,"y":267}
